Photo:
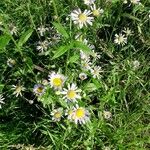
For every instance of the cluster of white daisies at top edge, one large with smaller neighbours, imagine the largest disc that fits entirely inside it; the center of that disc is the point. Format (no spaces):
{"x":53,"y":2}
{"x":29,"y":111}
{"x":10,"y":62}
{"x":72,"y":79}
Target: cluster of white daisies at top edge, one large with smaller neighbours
{"x":86,"y":17}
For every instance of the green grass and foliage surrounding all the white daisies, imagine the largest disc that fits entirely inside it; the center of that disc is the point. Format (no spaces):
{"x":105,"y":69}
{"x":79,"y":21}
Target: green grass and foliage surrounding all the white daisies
{"x":122,"y":89}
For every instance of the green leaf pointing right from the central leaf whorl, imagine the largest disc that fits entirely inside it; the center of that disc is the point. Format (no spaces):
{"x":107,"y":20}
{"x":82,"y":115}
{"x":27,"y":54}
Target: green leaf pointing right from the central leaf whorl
{"x":83,"y":47}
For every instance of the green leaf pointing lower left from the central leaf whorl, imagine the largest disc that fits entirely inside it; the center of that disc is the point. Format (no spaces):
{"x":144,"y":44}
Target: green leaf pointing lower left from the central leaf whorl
{"x":61,"y":50}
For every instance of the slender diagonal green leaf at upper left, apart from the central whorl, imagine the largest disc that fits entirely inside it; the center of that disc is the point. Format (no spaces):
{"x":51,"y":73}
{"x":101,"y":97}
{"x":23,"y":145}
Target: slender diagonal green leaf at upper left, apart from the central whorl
{"x":24,"y":37}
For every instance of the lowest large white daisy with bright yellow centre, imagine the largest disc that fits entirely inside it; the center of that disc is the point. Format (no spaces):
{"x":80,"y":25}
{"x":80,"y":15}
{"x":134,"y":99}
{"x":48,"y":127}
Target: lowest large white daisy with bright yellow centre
{"x":80,"y":115}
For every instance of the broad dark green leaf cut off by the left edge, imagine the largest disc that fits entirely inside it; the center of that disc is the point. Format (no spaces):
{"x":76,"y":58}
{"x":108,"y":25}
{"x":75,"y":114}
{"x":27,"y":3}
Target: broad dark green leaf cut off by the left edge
{"x":4,"y":40}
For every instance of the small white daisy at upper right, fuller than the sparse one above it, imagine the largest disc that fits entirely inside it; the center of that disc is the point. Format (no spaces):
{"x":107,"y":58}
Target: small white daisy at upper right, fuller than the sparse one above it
{"x":120,"y":39}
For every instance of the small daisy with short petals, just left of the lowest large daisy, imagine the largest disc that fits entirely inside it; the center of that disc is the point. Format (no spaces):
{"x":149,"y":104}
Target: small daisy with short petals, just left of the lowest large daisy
{"x":57,"y":114}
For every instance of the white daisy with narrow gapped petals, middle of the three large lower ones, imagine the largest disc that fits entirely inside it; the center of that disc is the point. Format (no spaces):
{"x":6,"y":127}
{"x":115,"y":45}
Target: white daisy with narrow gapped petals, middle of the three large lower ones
{"x":72,"y":93}
